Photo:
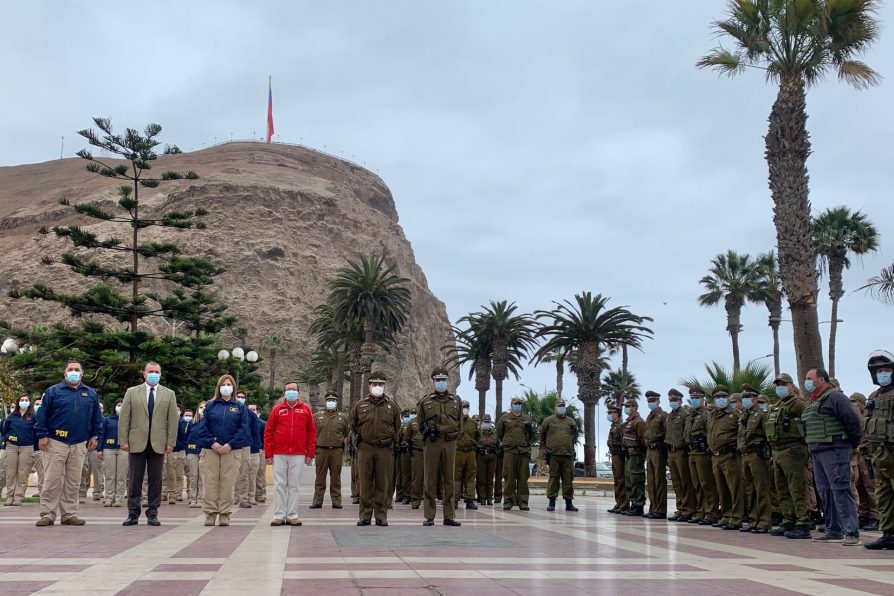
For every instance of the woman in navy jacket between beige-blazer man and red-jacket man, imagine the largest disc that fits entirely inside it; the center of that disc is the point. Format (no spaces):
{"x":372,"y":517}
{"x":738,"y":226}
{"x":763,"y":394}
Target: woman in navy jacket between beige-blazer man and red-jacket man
{"x":222,"y":433}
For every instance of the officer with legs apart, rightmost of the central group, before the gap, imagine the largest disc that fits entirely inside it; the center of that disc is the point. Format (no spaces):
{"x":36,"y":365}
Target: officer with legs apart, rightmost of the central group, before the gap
{"x":558,"y":435}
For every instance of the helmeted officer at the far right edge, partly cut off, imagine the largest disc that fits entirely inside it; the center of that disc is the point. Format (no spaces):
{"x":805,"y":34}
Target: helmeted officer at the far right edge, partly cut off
{"x":879,"y":431}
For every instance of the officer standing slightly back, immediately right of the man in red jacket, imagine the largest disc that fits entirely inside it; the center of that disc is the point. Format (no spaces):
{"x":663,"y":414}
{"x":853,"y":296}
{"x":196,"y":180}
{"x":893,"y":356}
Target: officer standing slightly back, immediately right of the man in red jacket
{"x":332,"y":431}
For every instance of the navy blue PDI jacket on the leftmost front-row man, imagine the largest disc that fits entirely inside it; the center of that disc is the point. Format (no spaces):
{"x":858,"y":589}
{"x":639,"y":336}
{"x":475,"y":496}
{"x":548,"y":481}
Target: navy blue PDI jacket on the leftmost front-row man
{"x":69,"y":414}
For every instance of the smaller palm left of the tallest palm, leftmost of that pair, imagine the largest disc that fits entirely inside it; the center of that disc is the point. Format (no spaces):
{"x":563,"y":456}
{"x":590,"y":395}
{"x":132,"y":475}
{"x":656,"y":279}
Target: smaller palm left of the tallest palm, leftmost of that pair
{"x":733,"y":278}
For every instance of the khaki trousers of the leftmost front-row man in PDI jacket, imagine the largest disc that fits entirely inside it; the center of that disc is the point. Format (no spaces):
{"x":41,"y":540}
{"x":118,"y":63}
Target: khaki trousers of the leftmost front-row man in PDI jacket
{"x":62,"y":479}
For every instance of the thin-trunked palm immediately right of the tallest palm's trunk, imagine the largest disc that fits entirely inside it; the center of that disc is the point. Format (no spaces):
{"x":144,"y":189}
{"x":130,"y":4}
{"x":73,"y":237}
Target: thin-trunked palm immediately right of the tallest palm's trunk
{"x":838,"y":232}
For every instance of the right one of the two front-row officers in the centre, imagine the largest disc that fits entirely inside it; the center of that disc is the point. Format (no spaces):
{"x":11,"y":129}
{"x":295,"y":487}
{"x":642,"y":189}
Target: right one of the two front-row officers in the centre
{"x":440,"y":414}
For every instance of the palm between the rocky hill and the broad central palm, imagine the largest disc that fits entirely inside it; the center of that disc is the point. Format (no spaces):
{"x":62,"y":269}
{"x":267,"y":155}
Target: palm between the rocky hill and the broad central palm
{"x":511,"y":339}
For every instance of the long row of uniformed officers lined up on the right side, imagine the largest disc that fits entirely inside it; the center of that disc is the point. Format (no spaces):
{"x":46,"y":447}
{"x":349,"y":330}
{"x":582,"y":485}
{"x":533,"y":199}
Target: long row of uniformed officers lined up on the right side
{"x":743,"y":461}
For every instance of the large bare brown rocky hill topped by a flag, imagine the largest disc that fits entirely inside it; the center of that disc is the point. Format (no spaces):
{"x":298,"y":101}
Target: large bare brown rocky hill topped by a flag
{"x":282,"y":220}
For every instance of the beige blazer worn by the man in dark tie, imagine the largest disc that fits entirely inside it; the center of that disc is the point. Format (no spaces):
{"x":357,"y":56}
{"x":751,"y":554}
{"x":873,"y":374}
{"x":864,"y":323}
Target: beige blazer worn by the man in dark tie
{"x":133,"y":422}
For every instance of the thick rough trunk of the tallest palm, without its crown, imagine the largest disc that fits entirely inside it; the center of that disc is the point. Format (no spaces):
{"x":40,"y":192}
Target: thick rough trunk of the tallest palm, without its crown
{"x":787,"y":150}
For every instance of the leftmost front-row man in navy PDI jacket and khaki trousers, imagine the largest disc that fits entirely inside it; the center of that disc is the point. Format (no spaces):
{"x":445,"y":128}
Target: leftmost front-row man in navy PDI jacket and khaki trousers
{"x":67,"y":425}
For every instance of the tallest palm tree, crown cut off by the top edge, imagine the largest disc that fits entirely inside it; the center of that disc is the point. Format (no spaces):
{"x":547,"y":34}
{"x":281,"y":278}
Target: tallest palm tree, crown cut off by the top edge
{"x":796,"y":43}
